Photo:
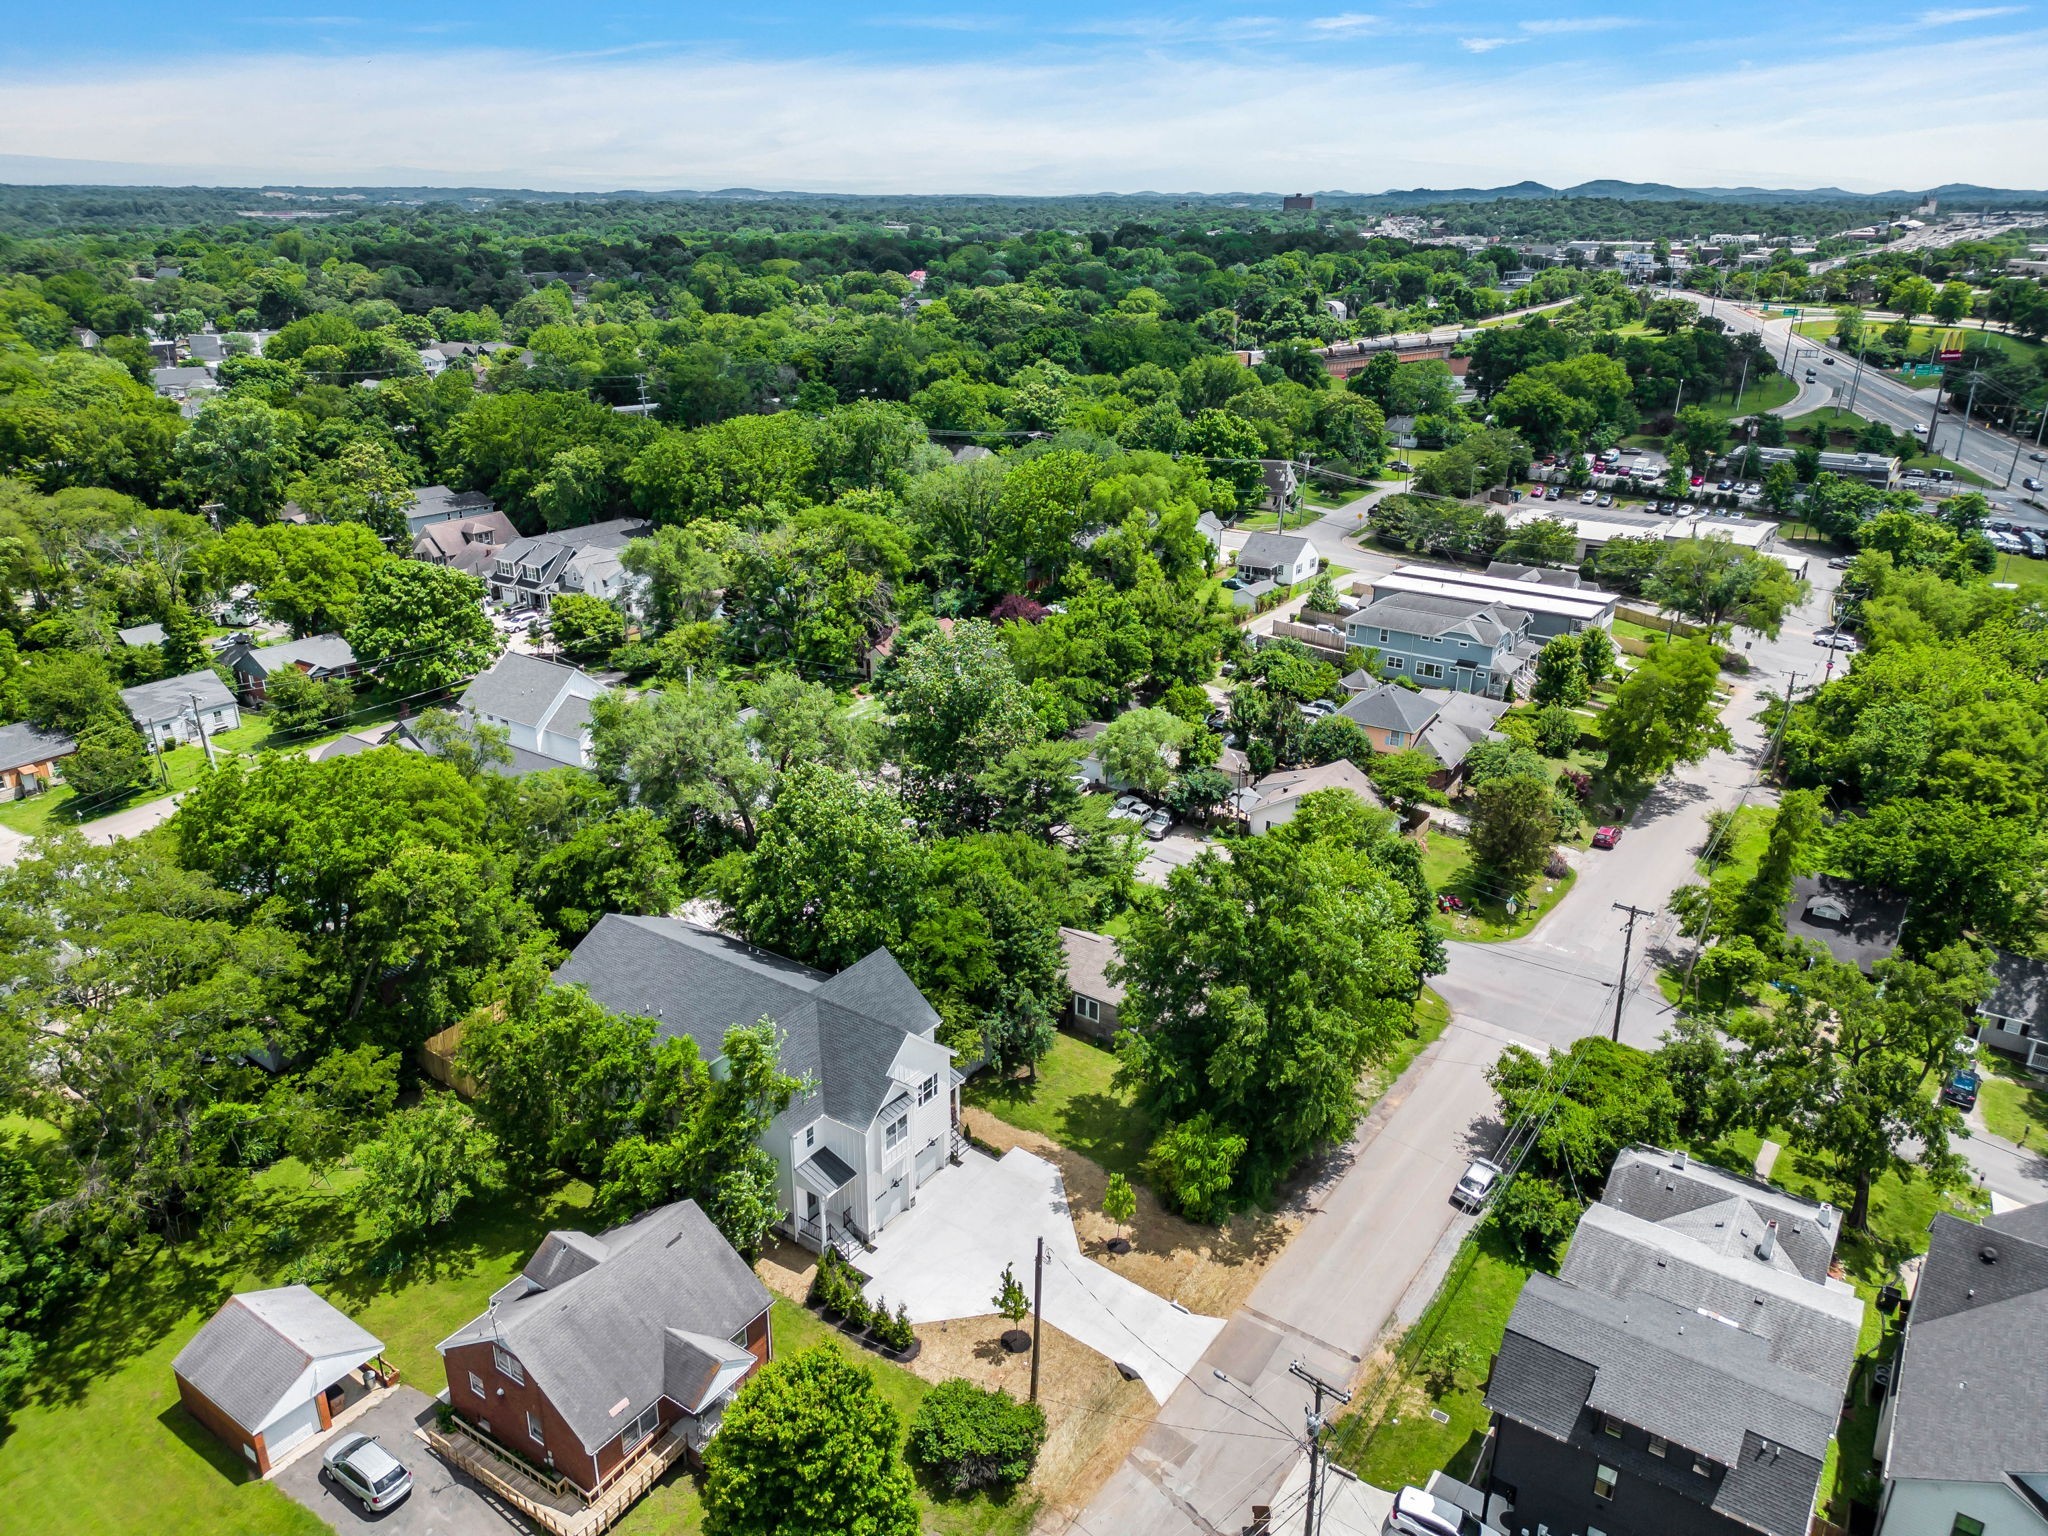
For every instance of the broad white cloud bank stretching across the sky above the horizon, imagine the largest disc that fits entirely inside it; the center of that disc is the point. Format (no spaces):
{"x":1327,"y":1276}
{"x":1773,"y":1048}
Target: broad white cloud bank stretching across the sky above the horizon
{"x":1121,"y":118}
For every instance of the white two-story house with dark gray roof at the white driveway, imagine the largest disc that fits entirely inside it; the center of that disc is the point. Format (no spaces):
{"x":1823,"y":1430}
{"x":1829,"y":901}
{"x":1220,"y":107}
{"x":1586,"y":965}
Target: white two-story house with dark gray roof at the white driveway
{"x":880,"y":1113}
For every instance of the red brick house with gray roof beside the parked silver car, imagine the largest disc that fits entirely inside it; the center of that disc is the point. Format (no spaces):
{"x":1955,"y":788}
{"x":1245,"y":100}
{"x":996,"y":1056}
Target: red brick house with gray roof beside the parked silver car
{"x":605,"y":1345}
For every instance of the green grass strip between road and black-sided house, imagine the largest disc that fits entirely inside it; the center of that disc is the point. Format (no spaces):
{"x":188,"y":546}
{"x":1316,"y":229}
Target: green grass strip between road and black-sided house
{"x":1392,"y":1439}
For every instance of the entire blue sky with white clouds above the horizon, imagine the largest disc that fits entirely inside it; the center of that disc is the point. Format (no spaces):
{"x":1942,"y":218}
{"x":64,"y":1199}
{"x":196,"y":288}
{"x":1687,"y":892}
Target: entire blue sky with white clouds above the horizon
{"x":1052,"y":97}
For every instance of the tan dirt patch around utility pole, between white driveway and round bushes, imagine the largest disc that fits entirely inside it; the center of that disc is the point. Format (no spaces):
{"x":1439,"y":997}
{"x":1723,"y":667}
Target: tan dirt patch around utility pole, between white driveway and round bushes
{"x":1093,"y":1414}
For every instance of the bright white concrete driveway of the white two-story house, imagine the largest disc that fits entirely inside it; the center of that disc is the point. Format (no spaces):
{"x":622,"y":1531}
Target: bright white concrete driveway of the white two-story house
{"x":945,"y":1258}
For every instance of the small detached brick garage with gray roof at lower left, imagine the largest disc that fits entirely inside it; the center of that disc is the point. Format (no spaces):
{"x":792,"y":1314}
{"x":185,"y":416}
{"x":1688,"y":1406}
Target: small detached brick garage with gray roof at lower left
{"x":267,"y":1371}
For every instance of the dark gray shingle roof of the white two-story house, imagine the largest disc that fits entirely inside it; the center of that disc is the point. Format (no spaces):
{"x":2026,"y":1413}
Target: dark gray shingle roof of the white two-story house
{"x":841,"y":1031}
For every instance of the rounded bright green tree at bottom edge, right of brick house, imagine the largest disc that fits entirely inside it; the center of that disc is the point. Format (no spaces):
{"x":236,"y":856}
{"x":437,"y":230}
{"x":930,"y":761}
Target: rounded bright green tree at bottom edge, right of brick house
{"x":810,"y":1449}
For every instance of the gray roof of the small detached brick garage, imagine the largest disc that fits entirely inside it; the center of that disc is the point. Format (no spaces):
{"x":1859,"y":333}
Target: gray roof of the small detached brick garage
{"x":251,"y":1353}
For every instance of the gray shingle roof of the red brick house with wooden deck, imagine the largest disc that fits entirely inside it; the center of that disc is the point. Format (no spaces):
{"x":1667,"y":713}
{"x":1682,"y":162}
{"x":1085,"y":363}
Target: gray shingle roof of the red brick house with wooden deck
{"x":597,"y":1340}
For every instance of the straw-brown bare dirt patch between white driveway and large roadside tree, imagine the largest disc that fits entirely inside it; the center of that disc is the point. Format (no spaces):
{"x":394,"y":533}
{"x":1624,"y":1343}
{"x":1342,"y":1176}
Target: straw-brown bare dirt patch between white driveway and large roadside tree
{"x":1205,"y":1269}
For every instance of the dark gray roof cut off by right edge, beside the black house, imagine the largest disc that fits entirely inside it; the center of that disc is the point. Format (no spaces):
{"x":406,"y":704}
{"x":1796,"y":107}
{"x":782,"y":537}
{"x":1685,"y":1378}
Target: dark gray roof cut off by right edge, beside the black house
{"x":1973,"y":1375}
